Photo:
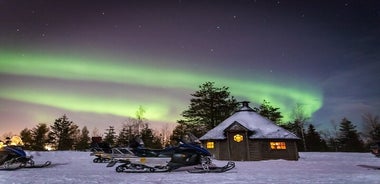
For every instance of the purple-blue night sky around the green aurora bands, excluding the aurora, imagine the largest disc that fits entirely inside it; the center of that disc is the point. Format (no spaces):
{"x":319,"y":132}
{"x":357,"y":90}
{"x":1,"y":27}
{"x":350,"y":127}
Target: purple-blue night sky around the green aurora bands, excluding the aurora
{"x":332,"y":47}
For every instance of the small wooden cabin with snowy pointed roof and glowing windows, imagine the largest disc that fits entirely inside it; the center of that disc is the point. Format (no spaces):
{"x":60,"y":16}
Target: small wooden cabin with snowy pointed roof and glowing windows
{"x":248,"y":136}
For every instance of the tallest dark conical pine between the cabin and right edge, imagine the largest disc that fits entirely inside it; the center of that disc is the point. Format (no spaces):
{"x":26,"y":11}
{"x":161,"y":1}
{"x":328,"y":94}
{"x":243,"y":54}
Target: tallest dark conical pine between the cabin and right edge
{"x":348,"y":137}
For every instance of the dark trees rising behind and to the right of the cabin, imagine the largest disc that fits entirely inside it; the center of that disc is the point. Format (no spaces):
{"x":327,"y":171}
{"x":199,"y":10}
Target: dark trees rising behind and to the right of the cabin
{"x":210,"y":105}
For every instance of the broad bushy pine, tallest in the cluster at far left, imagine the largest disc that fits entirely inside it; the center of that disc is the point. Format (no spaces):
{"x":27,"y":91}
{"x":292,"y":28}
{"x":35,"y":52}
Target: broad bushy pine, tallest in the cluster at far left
{"x":63,"y":133}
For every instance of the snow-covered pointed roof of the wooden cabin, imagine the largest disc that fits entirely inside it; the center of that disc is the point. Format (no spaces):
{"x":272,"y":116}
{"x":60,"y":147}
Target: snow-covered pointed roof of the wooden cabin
{"x":259,"y":126}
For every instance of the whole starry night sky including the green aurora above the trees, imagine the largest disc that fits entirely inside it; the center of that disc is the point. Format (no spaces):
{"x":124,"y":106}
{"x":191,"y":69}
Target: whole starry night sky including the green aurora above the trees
{"x":99,"y":61}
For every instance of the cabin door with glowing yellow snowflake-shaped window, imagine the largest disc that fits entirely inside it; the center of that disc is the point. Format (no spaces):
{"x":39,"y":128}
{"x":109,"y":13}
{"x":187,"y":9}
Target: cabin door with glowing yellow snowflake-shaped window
{"x":238,"y":145}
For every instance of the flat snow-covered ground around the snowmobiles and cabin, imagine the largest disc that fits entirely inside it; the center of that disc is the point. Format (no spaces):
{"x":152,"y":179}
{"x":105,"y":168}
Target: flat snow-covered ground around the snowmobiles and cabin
{"x":77,"y":167}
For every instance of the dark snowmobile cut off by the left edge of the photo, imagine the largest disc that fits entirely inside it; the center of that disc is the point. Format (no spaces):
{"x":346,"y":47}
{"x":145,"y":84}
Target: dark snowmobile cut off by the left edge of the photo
{"x":13,"y":157}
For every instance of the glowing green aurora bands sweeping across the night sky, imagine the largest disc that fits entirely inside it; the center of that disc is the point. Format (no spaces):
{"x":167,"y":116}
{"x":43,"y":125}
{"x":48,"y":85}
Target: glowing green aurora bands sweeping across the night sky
{"x":123,"y":72}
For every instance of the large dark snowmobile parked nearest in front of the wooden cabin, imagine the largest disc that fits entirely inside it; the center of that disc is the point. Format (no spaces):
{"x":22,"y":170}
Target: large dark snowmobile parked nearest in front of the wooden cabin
{"x":185,"y":155}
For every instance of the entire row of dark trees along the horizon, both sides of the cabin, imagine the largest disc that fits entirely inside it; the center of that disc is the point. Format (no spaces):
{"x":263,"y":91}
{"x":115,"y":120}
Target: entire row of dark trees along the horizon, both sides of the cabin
{"x":208,"y":107}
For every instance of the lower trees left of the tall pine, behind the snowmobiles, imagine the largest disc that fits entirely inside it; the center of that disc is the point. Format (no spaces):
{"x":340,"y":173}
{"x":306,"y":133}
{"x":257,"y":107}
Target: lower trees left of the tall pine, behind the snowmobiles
{"x":64,"y":134}
